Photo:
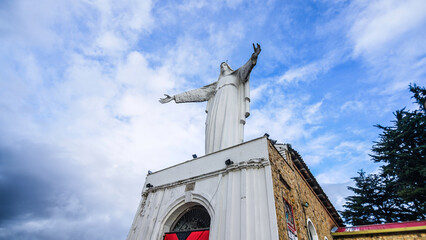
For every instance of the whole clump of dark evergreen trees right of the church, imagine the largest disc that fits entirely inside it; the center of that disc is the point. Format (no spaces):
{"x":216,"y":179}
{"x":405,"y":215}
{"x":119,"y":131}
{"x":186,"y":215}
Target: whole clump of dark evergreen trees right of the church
{"x":398,"y":192}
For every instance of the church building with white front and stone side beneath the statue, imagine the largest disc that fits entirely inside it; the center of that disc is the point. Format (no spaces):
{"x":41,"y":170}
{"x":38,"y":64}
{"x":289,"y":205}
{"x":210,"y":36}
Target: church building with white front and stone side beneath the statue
{"x":254,"y":190}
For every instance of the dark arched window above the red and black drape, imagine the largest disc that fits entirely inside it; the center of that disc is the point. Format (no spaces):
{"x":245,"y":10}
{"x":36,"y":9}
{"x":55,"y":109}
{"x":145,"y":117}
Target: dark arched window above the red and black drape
{"x":192,"y":218}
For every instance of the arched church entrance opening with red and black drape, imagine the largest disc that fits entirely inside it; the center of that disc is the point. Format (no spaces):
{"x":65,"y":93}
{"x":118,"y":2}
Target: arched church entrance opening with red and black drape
{"x":189,"y":222}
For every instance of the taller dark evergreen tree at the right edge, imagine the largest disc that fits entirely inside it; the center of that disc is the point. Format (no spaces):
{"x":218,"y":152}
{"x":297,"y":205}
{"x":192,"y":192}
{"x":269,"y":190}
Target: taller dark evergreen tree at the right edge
{"x":402,"y":149}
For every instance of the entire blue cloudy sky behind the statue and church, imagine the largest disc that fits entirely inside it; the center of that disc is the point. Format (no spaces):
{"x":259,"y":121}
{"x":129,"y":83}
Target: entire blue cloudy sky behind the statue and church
{"x":80,"y":122}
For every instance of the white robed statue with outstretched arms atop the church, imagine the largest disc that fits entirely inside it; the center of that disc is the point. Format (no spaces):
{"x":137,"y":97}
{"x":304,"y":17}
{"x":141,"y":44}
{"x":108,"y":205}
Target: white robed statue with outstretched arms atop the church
{"x":228,"y":103}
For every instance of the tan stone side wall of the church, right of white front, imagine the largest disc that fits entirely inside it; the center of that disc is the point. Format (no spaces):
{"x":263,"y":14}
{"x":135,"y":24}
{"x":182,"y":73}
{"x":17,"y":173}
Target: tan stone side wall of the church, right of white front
{"x":289,"y":184}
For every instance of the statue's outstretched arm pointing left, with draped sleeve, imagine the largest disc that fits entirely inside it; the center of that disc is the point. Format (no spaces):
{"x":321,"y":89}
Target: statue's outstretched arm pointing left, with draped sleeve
{"x":197,"y":95}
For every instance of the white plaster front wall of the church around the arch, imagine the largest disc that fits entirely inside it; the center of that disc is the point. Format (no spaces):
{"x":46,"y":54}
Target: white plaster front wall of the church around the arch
{"x":239,"y":197}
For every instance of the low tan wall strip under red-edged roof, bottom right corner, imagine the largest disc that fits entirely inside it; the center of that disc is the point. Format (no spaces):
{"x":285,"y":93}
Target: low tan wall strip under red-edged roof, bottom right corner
{"x":386,"y":236}
